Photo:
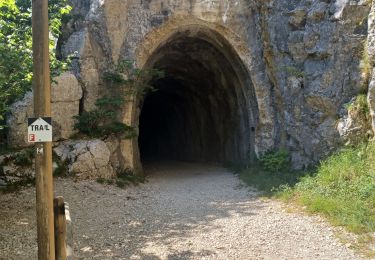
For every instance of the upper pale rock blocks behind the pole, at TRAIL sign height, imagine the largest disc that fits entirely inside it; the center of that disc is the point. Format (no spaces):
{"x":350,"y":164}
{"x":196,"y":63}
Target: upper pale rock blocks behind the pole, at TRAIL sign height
{"x":66,"y":93}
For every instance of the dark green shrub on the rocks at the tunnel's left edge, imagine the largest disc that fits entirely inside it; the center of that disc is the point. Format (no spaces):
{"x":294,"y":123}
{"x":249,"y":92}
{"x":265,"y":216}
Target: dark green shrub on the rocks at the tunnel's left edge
{"x":125,"y":82}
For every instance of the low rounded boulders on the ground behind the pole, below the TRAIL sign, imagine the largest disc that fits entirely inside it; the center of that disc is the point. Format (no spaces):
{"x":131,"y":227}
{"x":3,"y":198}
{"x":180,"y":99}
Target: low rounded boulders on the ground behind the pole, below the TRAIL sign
{"x":80,"y":159}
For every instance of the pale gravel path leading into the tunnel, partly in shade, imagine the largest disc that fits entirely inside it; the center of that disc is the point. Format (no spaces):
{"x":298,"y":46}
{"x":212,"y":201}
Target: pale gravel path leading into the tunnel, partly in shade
{"x":184,"y":211}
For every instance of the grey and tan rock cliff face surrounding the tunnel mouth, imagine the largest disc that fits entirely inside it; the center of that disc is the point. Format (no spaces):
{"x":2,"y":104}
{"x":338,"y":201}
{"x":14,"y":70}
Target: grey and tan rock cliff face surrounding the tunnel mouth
{"x":303,"y":60}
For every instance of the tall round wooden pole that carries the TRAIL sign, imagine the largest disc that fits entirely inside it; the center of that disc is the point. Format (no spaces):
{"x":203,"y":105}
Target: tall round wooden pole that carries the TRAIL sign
{"x":42,"y":107}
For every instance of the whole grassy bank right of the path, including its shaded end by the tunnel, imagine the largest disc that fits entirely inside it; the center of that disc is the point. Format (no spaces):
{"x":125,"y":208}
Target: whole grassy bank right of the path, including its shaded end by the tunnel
{"x":342,"y":187}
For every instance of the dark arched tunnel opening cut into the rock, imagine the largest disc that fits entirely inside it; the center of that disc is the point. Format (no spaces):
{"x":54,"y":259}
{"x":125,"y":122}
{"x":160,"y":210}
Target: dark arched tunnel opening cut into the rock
{"x":202,"y":109}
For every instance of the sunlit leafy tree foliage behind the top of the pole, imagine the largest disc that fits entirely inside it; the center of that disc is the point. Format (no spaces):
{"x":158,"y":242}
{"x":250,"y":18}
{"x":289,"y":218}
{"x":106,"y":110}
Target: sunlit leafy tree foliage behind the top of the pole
{"x":16,"y":47}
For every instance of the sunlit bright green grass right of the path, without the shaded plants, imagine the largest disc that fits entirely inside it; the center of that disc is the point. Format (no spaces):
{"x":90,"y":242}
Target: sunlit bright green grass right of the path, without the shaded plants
{"x":342,"y":189}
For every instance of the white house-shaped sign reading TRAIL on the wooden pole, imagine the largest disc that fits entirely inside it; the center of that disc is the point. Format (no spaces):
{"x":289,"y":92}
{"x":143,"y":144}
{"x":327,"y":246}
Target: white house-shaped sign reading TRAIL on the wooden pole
{"x":39,"y":129}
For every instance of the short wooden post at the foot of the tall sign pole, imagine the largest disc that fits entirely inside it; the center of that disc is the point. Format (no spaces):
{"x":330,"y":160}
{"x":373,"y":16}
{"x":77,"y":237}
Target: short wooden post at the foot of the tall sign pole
{"x":60,"y":229}
